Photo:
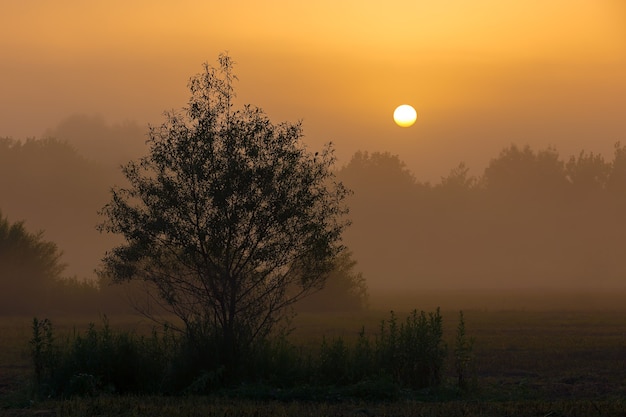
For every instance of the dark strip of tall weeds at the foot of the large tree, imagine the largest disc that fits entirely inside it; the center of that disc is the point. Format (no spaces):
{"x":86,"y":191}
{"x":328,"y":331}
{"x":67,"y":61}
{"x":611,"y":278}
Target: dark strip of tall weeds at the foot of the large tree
{"x":401,"y":355}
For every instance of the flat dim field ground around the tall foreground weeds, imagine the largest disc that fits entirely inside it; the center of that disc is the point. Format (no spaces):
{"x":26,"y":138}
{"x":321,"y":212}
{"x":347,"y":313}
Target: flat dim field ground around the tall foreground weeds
{"x":538,"y":362}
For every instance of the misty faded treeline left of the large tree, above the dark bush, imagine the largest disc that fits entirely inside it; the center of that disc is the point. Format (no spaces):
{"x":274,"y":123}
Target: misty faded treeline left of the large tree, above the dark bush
{"x":57,"y":184}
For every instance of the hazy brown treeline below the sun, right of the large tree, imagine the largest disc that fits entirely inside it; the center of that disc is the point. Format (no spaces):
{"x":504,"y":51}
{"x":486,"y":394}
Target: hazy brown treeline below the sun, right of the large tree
{"x":532,"y":219}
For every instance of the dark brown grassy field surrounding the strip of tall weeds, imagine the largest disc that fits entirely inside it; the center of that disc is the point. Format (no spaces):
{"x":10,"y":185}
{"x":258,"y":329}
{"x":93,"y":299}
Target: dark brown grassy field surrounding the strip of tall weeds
{"x":547,"y":360}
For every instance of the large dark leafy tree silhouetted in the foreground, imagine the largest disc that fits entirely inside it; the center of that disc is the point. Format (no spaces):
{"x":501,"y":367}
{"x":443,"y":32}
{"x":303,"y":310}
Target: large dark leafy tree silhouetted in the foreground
{"x":225,"y":214}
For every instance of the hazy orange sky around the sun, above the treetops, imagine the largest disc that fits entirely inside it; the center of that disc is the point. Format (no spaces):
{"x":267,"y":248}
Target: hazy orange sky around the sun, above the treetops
{"x":482,"y":74}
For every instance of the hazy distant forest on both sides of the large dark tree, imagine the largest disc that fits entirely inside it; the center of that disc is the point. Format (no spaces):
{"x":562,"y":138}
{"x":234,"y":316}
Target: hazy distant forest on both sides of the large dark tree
{"x":532,"y":219}
